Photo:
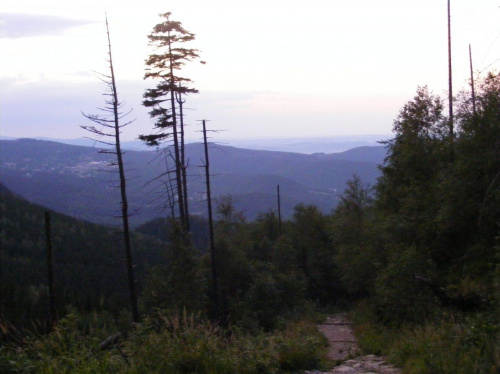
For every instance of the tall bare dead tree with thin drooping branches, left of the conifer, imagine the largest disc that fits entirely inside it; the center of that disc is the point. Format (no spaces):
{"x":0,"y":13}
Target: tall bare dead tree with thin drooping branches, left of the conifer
{"x":110,"y":127}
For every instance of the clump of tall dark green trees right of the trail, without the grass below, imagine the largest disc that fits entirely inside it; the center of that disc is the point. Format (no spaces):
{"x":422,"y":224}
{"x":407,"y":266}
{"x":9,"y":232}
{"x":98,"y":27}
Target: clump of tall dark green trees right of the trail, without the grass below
{"x":439,"y":219}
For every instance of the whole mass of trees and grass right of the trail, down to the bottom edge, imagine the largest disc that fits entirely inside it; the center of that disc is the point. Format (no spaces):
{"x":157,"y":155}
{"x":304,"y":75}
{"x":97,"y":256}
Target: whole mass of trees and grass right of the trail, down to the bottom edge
{"x":435,"y":303}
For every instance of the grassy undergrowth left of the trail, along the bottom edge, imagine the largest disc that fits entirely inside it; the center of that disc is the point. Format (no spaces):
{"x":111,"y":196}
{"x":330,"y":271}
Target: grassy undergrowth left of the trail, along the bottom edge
{"x":167,"y":344}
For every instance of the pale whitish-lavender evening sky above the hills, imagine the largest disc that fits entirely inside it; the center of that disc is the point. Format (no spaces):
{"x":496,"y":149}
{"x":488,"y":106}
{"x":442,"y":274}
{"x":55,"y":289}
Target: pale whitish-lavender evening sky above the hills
{"x":274,"y":68}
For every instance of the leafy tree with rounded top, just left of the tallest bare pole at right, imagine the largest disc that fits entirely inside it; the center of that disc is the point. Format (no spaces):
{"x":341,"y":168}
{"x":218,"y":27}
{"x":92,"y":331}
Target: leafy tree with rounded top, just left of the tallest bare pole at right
{"x":416,"y":156}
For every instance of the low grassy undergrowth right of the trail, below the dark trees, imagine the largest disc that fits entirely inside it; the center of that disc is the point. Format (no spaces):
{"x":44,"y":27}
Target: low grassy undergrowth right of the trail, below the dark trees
{"x":450,"y":344}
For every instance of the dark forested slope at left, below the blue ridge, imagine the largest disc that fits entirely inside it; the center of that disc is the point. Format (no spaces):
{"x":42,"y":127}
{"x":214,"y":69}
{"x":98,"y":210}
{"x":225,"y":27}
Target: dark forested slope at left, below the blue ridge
{"x":88,"y":263}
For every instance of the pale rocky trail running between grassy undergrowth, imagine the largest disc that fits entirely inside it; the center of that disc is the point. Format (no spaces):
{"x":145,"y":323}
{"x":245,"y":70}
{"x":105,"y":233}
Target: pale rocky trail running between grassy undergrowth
{"x":344,"y":349}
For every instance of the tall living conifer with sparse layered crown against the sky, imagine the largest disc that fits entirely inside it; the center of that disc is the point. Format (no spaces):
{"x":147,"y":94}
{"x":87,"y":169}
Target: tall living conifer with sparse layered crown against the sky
{"x":168,"y":38}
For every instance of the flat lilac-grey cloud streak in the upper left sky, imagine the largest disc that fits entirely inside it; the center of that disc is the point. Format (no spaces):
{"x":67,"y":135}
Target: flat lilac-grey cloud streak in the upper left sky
{"x":20,"y":25}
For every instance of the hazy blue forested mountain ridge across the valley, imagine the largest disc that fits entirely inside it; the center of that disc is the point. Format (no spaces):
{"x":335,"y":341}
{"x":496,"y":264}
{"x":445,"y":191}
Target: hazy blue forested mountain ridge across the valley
{"x":76,"y":181}
